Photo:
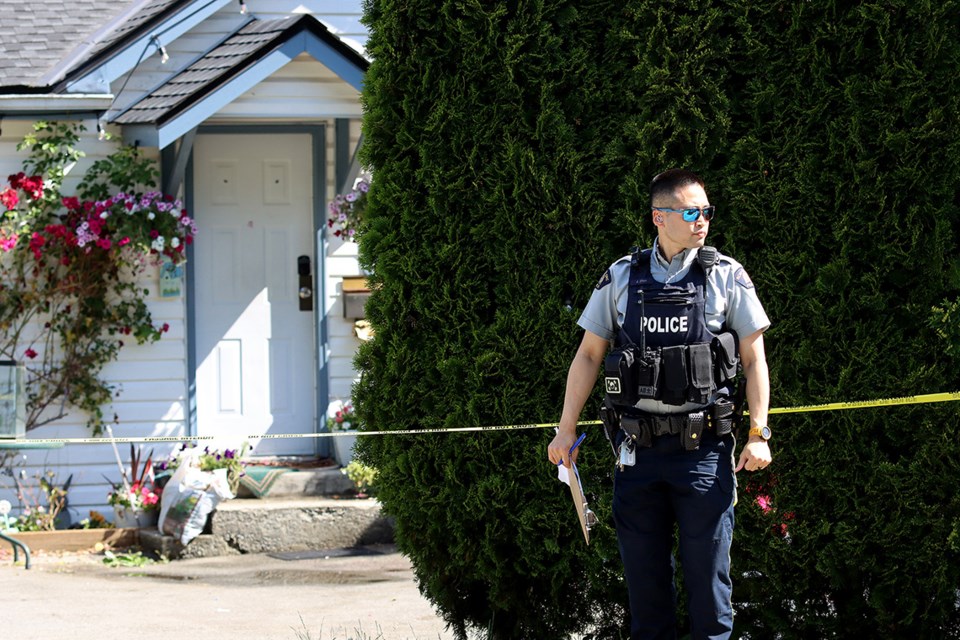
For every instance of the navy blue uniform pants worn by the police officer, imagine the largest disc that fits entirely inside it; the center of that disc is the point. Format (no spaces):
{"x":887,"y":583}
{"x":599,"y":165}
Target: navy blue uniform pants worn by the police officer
{"x":694,"y":490}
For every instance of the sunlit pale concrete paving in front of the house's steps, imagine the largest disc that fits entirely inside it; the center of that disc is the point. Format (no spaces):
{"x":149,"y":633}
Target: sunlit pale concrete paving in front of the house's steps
{"x":331,"y":595}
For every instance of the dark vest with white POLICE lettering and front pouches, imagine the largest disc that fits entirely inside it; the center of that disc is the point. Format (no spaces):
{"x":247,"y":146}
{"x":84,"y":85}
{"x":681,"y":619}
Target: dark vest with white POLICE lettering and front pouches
{"x":664,"y":350}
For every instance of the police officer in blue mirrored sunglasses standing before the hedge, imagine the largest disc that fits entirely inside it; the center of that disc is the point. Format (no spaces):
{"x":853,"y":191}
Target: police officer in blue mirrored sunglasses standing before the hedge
{"x":676,"y":454}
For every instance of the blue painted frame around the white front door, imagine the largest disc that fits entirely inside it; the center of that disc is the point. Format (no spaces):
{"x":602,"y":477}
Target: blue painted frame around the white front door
{"x":318,"y":152}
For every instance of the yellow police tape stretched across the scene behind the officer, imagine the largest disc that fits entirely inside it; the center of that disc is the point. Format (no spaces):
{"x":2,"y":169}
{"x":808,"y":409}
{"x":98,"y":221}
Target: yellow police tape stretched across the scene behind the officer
{"x":833,"y":406}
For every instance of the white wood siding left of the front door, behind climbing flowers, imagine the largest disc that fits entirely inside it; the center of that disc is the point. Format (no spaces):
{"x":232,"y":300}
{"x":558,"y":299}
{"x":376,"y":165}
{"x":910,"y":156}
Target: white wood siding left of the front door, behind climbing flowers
{"x":150,"y":379}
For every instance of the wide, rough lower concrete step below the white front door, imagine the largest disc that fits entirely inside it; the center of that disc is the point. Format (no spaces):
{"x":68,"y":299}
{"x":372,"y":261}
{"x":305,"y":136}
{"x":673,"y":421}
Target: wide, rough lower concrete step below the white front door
{"x":289,"y":524}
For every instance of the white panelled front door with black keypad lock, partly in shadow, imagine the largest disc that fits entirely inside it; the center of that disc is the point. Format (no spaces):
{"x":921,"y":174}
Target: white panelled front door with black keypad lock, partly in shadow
{"x":255,"y":348}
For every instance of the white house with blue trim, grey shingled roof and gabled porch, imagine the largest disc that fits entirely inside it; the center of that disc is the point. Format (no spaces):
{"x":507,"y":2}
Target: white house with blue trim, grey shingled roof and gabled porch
{"x":252,"y":109}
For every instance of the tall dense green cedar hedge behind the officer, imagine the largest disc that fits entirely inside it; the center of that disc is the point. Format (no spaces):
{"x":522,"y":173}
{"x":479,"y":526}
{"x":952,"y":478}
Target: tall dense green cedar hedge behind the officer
{"x":512,"y":144}
